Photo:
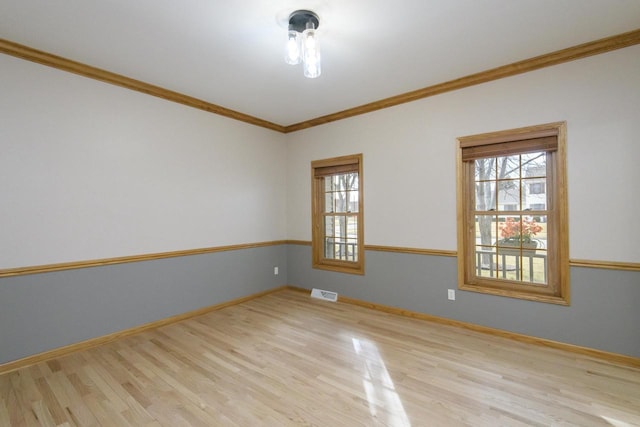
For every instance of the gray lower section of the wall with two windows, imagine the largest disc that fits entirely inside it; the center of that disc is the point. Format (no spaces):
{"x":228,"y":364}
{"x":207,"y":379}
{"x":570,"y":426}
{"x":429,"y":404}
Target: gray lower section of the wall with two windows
{"x":603,"y":313}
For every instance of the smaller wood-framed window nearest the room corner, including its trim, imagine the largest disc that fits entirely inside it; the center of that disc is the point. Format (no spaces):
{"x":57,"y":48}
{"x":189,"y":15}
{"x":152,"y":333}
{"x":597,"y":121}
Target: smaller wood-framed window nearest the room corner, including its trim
{"x":337,"y":227}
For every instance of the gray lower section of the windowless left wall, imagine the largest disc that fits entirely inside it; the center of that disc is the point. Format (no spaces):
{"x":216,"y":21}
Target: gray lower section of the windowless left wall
{"x":41,"y":312}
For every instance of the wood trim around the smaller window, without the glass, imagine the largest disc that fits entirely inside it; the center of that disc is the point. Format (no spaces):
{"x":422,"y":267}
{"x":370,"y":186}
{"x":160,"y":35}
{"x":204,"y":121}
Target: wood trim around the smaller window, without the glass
{"x":319,"y":170}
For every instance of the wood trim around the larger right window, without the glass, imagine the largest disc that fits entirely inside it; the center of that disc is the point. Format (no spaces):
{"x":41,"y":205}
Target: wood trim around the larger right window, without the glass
{"x":557,"y":183}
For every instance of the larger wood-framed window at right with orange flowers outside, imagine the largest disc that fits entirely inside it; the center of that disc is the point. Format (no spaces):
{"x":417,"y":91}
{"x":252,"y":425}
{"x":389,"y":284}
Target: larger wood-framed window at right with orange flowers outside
{"x":512,"y":222}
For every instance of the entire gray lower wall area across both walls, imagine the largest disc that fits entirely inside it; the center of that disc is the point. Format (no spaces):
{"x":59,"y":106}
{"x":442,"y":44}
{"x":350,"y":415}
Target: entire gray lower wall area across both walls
{"x":42,"y":312}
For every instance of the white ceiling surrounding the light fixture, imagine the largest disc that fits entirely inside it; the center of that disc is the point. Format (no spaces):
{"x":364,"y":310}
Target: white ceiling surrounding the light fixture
{"x":230,"y":52}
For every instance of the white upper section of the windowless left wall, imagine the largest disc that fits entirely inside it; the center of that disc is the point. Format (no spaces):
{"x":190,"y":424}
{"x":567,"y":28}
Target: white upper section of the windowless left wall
{"x":90,"y":170}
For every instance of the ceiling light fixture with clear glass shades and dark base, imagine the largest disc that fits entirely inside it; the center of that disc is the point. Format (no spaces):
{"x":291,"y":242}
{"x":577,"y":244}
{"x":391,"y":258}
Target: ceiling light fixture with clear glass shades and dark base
{"x":302,"y":42}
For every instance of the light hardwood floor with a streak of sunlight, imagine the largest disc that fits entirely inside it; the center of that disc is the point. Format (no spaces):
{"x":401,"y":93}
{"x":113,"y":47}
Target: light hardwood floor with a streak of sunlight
{"x":286,"y":359}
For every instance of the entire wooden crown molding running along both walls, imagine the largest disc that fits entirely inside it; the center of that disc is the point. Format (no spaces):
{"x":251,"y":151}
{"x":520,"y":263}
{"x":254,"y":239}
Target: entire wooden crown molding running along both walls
{"x":554,"y":58}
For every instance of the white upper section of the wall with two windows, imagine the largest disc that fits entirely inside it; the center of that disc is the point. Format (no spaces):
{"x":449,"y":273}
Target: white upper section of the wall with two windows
{"x":409,"y":155}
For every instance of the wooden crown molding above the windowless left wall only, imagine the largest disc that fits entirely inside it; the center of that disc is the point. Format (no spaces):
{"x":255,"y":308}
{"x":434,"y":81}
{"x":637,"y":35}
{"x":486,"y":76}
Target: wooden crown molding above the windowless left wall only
{"x":44,"y":58}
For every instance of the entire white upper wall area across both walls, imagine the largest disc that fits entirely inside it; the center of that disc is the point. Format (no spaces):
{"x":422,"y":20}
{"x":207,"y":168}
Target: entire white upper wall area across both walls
{"x":90,"y":170}
